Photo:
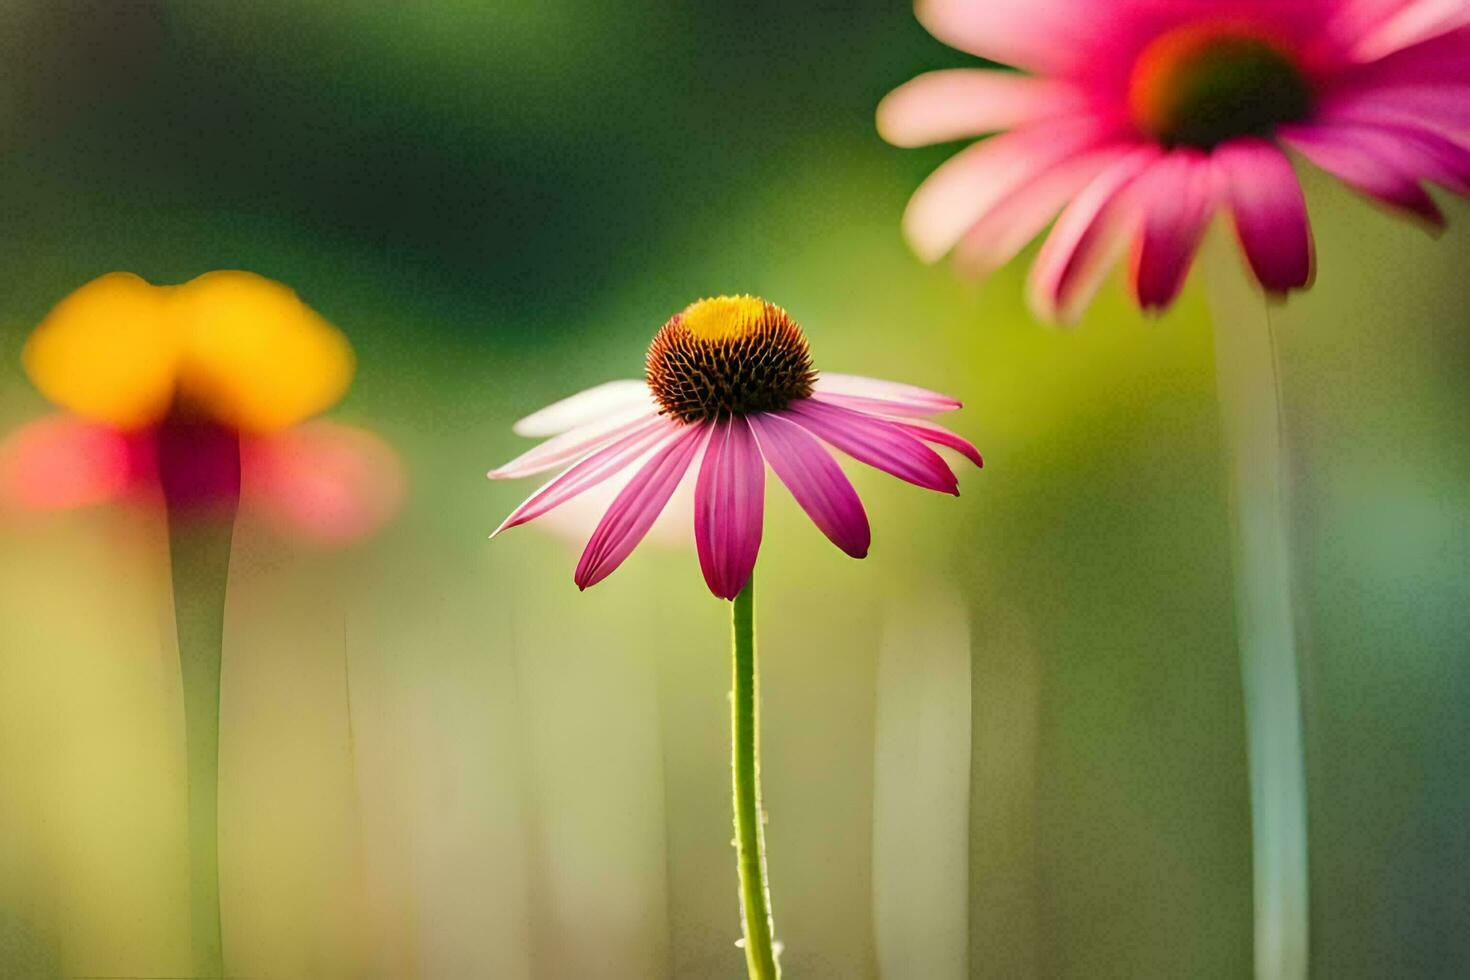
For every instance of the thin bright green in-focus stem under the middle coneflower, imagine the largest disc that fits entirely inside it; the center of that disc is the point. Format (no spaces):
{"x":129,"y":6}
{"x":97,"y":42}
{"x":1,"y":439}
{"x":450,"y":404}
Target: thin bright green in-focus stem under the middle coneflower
{"x":750,"y":835}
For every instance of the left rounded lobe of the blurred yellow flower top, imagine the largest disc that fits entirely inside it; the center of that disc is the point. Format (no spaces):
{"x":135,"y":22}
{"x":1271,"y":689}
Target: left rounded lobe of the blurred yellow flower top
{"x":108,"y":352}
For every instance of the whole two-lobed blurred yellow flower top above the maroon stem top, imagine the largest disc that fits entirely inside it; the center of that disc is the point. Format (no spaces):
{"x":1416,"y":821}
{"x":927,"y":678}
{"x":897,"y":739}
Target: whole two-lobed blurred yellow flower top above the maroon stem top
{"x":237,"y":347}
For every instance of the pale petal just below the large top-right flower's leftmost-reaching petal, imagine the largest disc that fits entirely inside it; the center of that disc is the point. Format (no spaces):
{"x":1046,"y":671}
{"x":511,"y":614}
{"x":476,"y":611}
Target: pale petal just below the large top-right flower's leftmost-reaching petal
{"x":983,"y":177}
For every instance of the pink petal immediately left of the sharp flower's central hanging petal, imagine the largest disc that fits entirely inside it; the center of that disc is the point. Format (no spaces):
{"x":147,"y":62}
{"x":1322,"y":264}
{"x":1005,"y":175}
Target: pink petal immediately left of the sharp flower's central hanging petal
{"x":637,"y":508}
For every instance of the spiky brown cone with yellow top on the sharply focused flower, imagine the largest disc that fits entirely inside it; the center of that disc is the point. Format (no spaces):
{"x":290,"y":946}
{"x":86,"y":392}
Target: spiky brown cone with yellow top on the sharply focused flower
{"x":728,"y":356}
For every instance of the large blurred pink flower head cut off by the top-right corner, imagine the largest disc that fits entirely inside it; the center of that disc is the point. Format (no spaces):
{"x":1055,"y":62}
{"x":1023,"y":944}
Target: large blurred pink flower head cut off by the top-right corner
{"x":1137,"y":120}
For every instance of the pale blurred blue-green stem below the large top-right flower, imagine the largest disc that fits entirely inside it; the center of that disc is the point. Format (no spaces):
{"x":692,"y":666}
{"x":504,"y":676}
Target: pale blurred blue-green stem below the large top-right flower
{"x":1253,"y":422}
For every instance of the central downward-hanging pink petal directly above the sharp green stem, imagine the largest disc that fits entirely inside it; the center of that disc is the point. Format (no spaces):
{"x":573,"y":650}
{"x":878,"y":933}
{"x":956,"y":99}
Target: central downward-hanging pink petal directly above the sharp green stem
{"x":730,"y":502}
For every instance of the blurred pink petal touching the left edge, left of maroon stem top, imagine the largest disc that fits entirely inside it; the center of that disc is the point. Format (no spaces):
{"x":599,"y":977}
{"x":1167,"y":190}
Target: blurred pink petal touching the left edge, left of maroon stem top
{"x":61,"y":462}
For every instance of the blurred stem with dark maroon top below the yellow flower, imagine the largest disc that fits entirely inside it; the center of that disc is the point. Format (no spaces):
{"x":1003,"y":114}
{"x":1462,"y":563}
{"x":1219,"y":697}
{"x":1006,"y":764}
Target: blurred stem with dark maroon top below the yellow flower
{"x":199,"y":468}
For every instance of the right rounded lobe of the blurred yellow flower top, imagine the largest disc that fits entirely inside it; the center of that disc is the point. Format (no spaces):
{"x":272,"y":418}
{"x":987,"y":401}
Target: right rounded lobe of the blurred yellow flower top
{"x":255,"y":356}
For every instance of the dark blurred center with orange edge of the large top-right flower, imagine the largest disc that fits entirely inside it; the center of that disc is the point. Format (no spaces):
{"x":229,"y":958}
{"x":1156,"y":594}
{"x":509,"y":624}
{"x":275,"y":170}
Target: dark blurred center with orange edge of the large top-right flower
{"x":1203,"y":84}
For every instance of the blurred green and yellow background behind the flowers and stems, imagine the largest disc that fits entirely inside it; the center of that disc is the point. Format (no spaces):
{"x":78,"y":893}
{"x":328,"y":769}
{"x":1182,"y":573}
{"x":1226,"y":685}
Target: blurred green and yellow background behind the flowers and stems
{"x":1011,"y":744}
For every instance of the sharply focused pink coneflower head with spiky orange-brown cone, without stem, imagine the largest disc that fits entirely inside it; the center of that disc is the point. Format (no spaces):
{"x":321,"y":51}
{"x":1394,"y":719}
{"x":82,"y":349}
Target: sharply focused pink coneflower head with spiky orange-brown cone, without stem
{"x":730,"y":389}
